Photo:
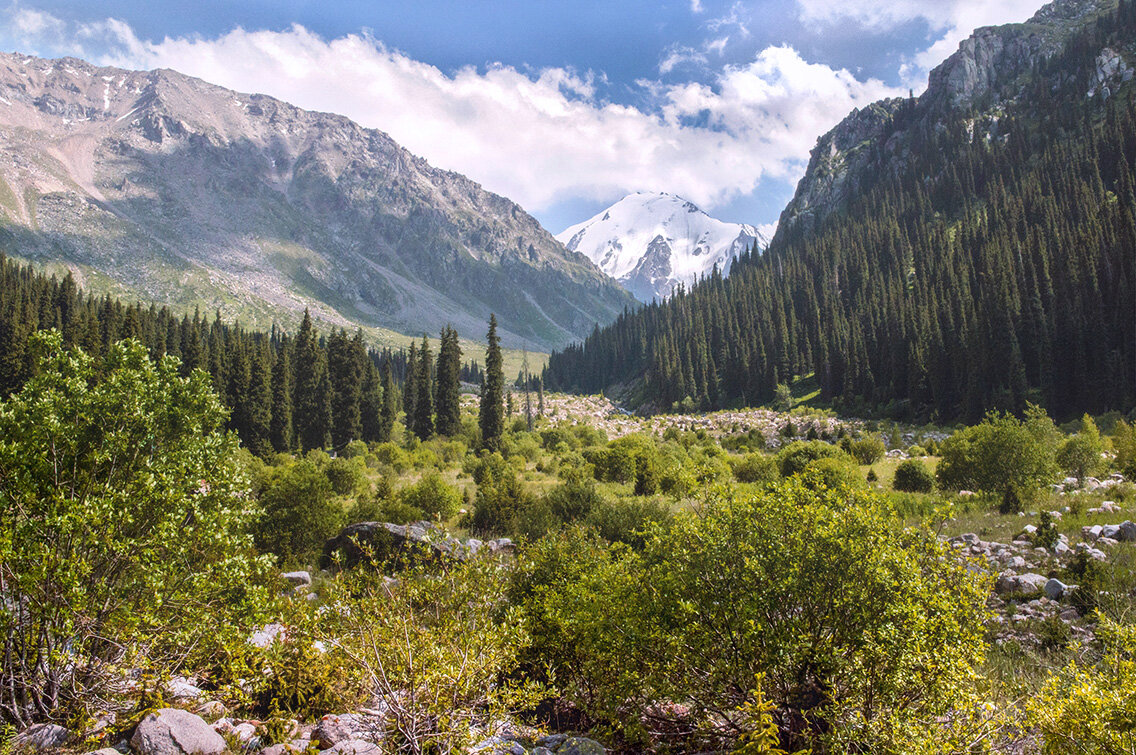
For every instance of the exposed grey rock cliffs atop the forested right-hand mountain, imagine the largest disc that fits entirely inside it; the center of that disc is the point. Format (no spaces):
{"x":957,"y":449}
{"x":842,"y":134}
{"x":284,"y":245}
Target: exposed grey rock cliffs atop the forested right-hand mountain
{"x":989,"y":71}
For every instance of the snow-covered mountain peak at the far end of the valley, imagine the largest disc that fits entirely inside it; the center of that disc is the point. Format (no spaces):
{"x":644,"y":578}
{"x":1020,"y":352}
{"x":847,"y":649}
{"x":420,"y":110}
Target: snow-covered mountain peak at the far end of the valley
{"x":653,"y":242}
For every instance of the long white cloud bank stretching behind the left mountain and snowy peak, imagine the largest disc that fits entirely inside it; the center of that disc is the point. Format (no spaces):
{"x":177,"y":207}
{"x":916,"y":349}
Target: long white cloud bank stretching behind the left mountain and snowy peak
{"x":538,"y":138}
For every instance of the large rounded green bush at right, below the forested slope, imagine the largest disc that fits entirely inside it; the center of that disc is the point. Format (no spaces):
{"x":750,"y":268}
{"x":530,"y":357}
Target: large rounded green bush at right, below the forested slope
{"x":1003,"y":456}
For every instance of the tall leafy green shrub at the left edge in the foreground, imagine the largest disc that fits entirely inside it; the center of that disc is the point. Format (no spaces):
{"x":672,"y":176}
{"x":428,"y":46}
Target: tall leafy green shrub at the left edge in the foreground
{"x":123,"y":519}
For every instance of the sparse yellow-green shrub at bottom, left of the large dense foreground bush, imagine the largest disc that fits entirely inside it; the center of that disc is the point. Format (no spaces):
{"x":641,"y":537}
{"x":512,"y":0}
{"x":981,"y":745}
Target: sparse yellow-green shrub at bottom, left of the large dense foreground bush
{"x":439,"y":653}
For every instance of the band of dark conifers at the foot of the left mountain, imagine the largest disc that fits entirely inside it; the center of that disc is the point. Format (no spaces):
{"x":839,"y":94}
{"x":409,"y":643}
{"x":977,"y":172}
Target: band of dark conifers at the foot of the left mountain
{"x":285,"y":392}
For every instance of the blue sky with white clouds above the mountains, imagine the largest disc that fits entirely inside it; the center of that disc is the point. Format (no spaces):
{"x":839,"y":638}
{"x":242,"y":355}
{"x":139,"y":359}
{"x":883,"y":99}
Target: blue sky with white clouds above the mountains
{"x":563,"y":107}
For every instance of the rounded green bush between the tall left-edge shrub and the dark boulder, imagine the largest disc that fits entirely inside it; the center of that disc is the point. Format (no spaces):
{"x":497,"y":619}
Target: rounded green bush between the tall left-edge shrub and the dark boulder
{"x":300,"y":513}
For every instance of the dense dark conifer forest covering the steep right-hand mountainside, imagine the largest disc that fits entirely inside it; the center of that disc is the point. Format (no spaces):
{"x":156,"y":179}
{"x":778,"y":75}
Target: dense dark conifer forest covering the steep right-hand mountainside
{"x":974,"y":272}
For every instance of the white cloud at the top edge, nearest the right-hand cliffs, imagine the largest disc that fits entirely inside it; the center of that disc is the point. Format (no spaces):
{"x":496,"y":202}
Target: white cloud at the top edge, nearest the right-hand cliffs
{"x":950,"y":21}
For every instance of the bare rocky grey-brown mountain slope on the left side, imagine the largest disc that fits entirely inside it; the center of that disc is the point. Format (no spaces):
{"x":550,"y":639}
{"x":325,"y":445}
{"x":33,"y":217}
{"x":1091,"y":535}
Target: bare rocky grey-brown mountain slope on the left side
{"x":165,"y":188}
